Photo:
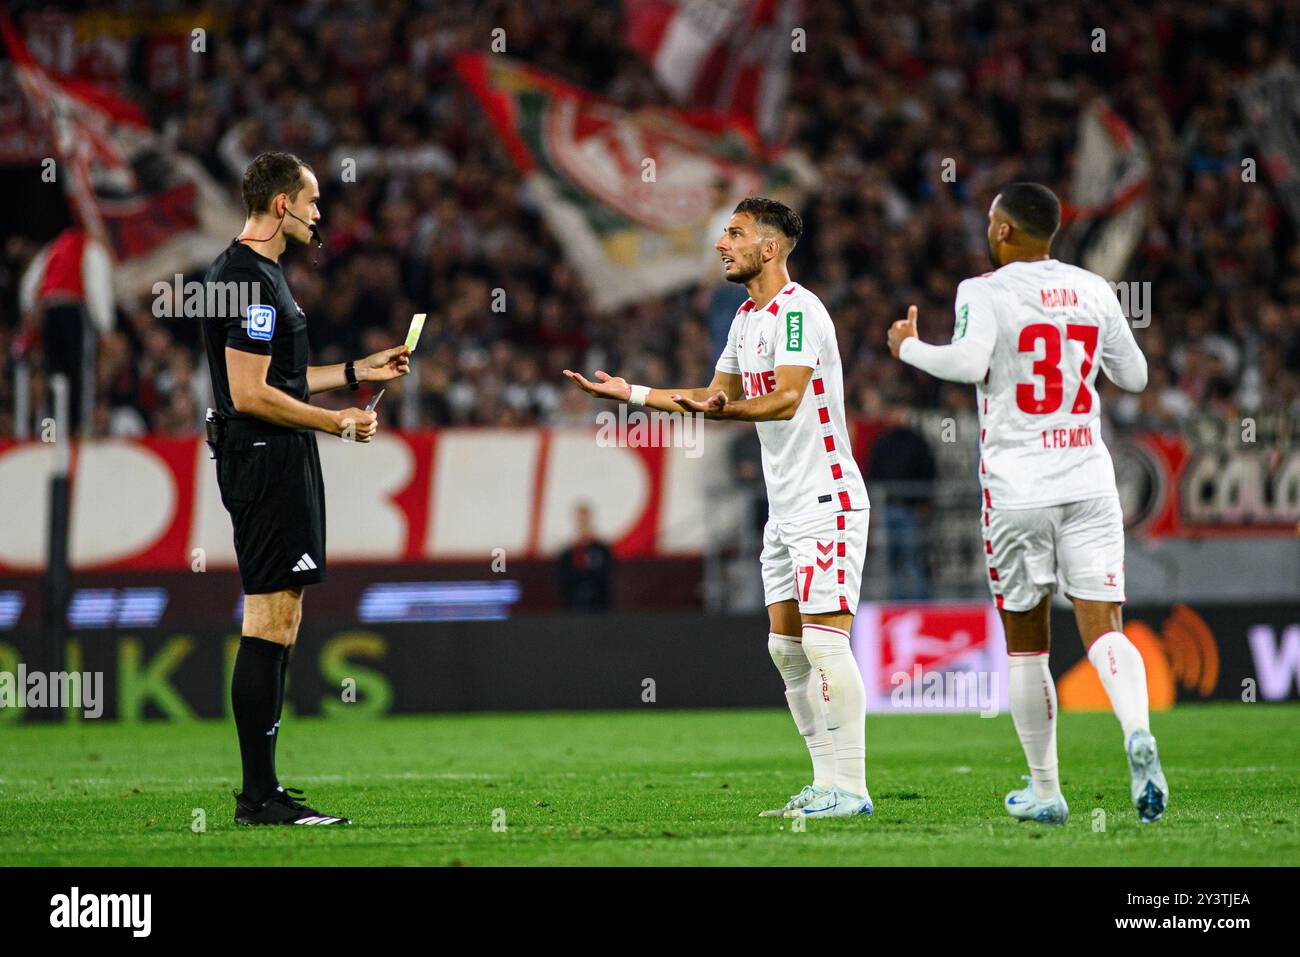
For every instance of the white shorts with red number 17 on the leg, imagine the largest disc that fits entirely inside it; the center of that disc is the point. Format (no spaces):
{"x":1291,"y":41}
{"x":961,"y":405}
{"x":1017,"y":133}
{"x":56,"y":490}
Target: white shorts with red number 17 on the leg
{"x":816,"y":561}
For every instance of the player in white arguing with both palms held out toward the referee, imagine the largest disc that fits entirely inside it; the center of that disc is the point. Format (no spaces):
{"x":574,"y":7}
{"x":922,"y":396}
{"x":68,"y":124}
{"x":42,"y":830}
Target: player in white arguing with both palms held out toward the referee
{"x":781,"y":370}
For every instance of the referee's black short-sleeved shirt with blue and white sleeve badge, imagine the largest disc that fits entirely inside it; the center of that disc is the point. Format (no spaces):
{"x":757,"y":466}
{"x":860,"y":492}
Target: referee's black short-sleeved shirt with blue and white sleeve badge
{"x":272,"y":327}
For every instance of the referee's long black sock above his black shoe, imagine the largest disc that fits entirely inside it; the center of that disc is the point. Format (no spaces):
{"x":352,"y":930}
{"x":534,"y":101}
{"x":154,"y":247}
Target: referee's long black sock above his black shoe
{"x":257,"y":698}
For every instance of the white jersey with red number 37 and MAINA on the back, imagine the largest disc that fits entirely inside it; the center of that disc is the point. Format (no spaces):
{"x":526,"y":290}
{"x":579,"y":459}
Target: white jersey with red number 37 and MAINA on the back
{"x":1039,"y":332}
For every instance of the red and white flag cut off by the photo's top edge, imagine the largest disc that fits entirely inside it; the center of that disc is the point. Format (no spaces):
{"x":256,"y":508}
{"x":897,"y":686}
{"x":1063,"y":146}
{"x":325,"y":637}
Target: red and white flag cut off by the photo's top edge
{"x":727,"y":55}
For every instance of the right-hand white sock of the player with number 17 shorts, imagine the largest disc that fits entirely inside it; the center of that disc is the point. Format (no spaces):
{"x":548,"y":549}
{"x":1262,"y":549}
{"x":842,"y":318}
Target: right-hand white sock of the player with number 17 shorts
{"x":837,"y":686}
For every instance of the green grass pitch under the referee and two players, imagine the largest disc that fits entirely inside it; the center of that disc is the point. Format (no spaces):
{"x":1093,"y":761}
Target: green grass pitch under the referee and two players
{"x":645,"y":789}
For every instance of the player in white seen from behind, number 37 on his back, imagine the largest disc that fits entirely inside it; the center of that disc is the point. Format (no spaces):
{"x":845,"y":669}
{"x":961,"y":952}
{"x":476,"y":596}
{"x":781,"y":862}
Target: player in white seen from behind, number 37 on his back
{"x":1033,"y":336}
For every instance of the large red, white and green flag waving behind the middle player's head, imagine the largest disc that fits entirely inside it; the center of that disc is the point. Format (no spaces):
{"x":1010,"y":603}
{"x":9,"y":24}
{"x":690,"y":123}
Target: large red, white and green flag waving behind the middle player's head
{"x":634,"y":197}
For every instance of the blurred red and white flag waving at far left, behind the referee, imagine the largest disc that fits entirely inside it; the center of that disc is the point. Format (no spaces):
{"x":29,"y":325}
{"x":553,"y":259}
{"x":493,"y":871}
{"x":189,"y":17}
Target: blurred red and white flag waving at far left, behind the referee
{"x":155,"y":210}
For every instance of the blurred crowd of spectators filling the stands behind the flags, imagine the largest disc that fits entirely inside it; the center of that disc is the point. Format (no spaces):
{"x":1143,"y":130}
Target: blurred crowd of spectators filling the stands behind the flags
{"x":886,"y":92}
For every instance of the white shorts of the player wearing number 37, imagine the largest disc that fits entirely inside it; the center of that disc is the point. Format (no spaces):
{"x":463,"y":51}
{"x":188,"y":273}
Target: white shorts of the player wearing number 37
{"x":1080,"y":543}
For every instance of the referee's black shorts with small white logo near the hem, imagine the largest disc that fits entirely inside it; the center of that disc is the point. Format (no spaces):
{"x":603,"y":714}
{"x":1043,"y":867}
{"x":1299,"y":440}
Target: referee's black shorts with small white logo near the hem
{"x":271,"y":484}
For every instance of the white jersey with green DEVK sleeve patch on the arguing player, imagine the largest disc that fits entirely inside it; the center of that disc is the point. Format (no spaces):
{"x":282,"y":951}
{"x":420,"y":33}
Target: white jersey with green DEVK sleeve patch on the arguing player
{"x":808,"y":461}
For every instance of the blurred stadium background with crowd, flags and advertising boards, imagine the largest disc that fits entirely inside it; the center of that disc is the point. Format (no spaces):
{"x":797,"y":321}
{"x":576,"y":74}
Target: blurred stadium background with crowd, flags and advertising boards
{"x":891,"y":128}
